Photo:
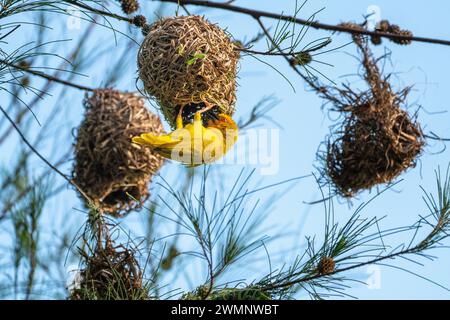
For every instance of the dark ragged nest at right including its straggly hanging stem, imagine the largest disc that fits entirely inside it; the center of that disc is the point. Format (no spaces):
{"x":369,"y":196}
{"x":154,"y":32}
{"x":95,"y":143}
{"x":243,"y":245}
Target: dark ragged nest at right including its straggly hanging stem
{"x":377,"y":140}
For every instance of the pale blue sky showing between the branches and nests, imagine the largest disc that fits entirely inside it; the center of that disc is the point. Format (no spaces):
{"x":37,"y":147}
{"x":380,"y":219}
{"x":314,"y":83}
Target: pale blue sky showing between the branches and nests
{"x":304,"y":126}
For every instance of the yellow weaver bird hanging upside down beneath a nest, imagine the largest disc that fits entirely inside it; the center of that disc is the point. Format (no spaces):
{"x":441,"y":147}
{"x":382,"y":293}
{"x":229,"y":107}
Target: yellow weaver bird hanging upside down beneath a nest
{"x":194,"y":144}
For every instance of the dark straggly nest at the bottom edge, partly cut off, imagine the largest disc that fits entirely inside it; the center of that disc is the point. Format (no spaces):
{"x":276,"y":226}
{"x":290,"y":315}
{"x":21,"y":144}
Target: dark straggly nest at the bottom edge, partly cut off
{"x":110,"y":273}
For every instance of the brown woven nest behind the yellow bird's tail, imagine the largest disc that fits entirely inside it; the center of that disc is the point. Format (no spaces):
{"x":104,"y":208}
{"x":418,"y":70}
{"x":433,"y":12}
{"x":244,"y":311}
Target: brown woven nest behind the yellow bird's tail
{"x":108,"y":167}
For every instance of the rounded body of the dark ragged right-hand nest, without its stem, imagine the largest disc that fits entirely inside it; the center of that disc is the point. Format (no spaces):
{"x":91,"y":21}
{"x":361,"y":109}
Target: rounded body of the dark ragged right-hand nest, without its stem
{"x":374,"y":147}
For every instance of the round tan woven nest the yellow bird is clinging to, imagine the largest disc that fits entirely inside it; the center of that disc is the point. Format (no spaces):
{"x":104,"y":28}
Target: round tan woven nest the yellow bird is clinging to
{"x":188,"y":61}
